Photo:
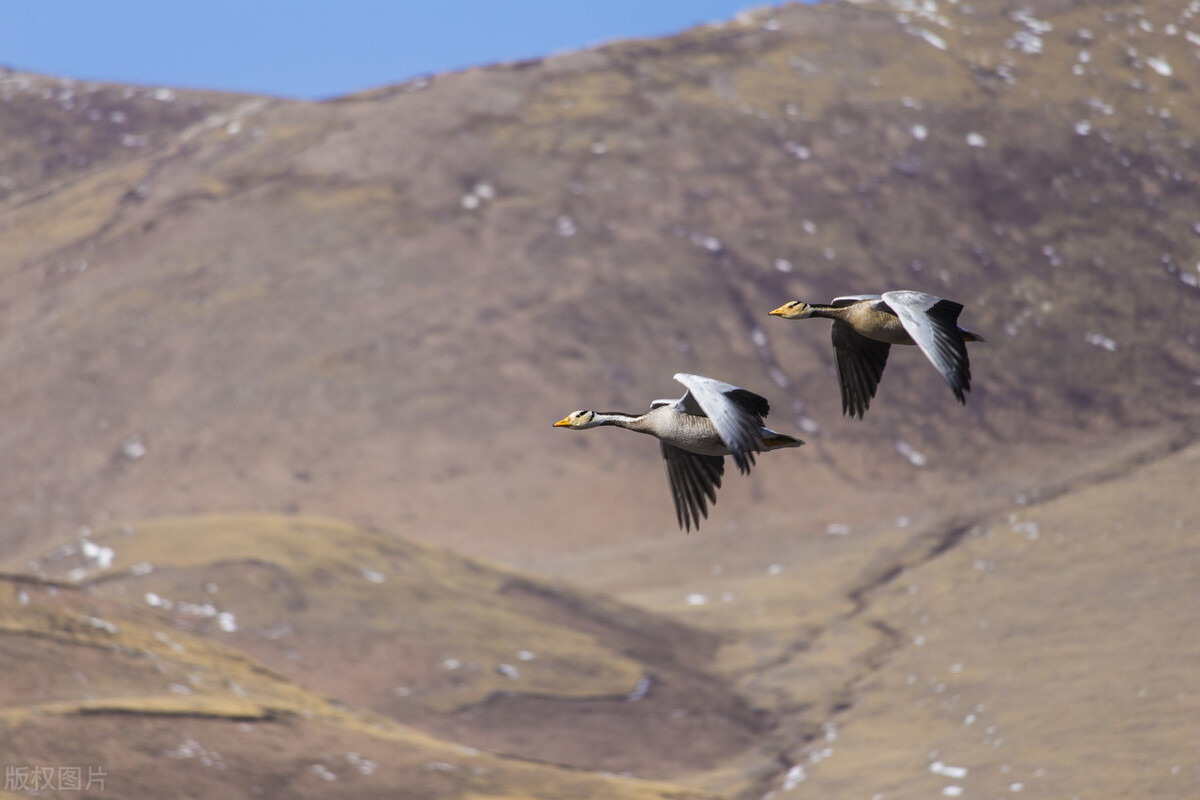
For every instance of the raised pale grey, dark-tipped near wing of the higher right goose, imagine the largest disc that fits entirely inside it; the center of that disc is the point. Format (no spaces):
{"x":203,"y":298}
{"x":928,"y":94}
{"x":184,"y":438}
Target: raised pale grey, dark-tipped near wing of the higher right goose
{"x":933,"y":323}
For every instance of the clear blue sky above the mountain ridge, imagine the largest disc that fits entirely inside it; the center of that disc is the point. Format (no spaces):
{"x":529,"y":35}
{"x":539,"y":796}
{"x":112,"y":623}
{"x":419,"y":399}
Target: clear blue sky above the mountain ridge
{"x":317,"y":49}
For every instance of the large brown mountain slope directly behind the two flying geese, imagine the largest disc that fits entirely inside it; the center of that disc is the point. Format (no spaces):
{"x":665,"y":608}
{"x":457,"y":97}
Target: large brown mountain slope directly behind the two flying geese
{"x":374,"y":308}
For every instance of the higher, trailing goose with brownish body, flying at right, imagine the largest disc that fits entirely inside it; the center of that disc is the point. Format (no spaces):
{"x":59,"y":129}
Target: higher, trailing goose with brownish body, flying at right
{"x":866,"y":327}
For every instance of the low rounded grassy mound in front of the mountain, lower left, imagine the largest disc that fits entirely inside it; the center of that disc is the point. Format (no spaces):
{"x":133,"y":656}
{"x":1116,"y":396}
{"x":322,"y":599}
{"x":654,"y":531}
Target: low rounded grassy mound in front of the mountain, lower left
{"x":455,"y":647}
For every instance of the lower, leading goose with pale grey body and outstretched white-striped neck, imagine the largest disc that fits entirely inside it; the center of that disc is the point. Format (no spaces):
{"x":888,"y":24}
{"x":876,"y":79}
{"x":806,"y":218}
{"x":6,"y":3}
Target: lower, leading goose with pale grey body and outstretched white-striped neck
{"x":712,"y":420}
